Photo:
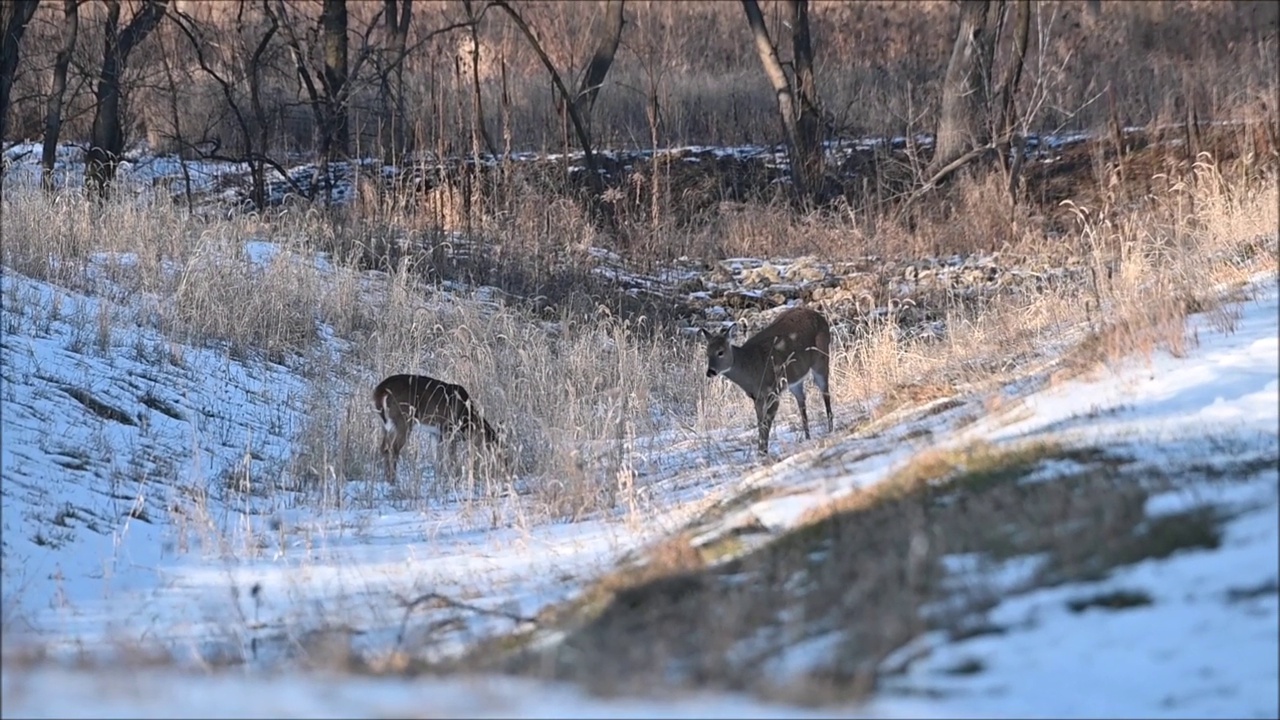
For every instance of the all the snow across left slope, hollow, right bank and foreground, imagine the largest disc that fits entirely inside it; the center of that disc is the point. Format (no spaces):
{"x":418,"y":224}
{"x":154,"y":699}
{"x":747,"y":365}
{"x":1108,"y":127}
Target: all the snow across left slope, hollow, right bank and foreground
{"x":81,"y":569}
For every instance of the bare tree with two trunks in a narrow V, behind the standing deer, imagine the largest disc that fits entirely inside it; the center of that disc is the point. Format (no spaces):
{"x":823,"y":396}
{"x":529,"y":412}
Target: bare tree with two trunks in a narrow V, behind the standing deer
{"x":799,"y":108}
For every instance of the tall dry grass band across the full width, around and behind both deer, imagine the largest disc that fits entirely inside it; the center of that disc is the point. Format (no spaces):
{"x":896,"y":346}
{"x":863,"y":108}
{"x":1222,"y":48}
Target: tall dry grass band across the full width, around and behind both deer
{"x":588,"y":389}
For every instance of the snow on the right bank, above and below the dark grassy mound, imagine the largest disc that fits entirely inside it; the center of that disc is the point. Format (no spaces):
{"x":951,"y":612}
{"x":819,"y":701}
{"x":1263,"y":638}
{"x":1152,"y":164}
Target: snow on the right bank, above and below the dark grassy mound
{"x":1208,"y":644}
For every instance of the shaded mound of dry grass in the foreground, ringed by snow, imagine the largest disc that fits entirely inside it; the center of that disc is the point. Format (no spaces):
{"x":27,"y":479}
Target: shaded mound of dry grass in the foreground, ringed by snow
{"x":685,"y":623}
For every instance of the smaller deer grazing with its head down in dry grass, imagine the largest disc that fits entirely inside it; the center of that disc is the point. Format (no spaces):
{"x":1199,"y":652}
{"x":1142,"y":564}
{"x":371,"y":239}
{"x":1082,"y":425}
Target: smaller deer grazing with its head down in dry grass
{"x":404,"y":400}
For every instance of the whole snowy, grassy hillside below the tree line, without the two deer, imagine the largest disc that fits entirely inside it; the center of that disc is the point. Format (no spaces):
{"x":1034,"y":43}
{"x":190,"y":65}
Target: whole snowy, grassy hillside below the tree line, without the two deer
{"x":1054,"y":459}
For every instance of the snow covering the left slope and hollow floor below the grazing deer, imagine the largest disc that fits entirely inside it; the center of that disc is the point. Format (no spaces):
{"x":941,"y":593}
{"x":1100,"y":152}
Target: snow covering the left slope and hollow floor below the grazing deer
{"x":126,"y":520}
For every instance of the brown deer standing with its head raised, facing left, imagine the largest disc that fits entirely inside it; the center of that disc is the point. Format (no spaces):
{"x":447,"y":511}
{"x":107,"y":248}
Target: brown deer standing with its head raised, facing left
{"x":784,"y":353}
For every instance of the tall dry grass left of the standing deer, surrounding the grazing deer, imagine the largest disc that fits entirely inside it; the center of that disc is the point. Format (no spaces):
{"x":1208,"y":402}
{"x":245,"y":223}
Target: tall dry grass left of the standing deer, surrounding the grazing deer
{"x":578,"y":395}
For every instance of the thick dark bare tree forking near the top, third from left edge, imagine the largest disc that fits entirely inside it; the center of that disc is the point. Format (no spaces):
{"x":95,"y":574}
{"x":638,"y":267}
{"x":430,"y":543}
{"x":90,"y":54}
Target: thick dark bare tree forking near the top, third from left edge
{"x":108,"y":138}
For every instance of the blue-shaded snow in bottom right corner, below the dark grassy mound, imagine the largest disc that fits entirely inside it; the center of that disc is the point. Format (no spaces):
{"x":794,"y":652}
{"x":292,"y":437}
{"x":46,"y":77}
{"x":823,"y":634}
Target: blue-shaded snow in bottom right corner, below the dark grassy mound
{"x":1194,"y":653}
